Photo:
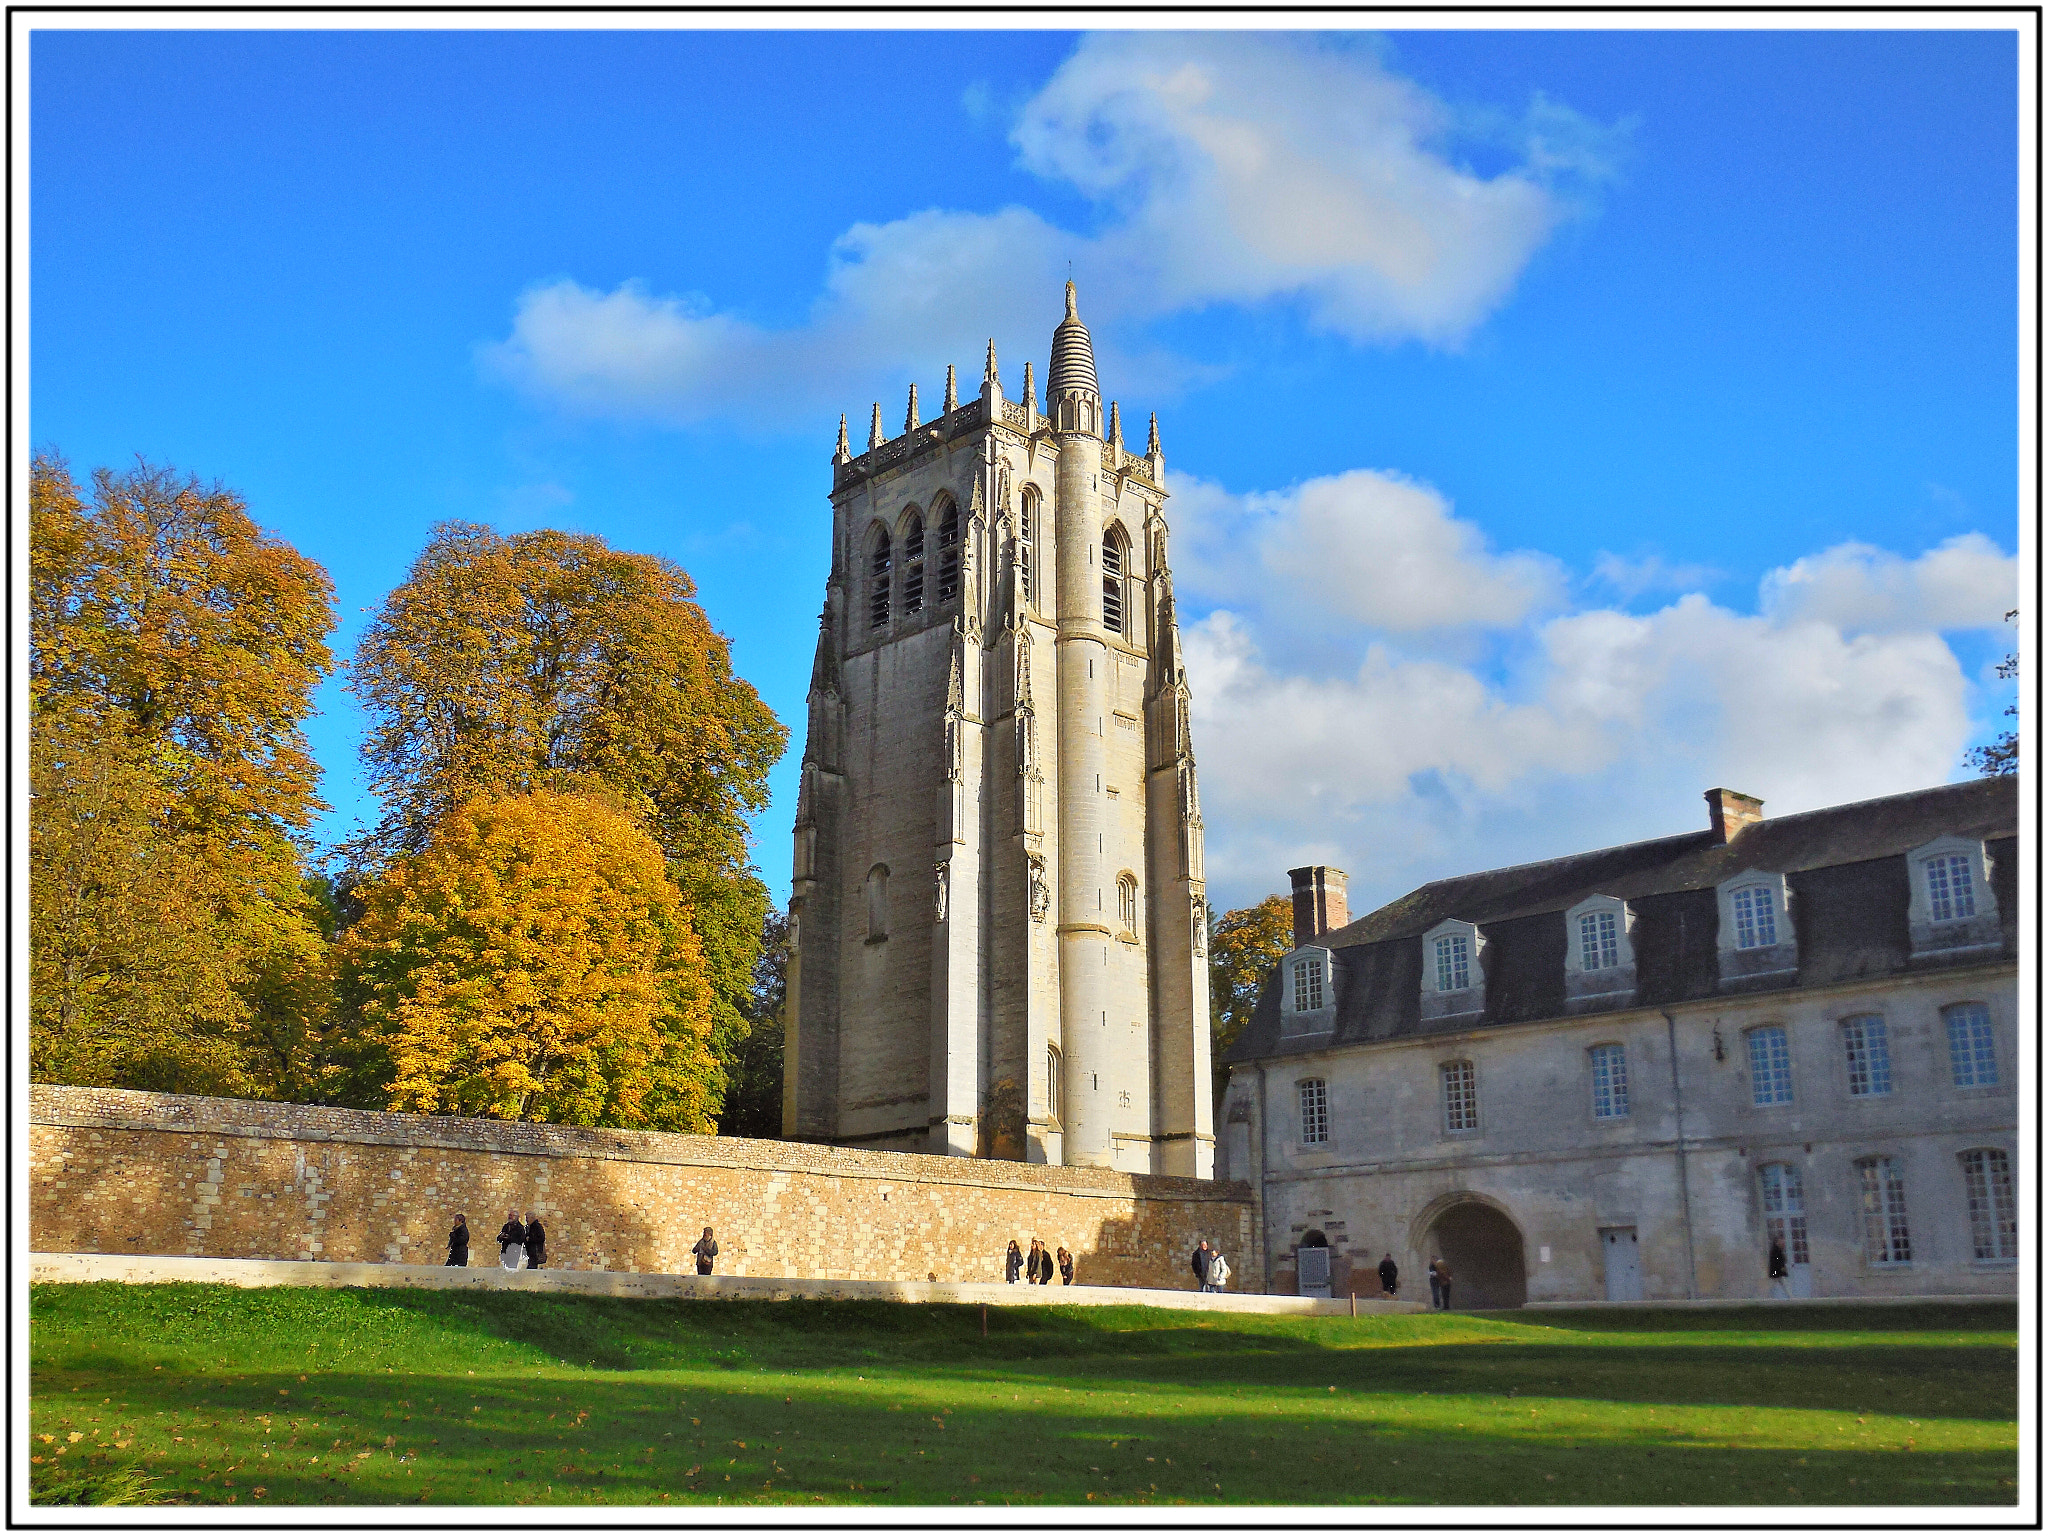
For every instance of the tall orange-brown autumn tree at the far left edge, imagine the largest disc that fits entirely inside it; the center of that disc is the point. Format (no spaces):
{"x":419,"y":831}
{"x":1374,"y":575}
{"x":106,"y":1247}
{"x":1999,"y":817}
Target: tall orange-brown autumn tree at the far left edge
{"x":173,"y":652}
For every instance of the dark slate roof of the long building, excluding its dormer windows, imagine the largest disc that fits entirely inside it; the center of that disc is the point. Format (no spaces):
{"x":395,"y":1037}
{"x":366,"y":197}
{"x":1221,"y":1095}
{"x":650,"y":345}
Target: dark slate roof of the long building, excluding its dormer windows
{"x":1844,"y":867}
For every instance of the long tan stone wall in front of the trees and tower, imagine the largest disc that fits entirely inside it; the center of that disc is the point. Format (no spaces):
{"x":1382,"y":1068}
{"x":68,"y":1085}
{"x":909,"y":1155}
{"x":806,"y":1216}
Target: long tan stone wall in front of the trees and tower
{"x":120,"y":1172}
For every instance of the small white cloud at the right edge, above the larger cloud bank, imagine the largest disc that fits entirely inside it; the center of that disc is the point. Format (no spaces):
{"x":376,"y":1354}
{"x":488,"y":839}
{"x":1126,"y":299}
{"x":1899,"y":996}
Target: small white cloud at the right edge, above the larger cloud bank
{"x":1967,"y":583}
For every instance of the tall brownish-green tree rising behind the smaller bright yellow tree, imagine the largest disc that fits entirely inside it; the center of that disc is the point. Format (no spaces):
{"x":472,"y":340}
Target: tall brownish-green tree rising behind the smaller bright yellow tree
{"x":529,"y":660}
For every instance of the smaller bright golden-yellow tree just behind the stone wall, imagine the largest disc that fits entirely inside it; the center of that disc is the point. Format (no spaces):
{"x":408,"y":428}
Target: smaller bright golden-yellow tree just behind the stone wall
{"x":536,"y":964}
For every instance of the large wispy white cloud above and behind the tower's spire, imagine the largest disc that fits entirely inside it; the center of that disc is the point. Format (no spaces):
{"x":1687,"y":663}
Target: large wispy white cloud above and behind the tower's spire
{"x":1226,"y":169}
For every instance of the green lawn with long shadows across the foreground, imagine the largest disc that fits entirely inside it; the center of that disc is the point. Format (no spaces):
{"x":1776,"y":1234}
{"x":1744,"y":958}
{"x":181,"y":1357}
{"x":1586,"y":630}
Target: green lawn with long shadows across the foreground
{"x":216,"y":1396}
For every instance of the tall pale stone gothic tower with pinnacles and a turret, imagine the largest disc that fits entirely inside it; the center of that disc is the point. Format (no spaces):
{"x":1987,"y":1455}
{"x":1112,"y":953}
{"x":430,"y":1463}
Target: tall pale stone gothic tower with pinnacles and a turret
{"x":998,"y":925}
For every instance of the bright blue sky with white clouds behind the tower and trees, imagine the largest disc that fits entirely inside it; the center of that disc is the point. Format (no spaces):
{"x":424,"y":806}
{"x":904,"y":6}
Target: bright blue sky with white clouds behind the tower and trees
{"x":1560,"y":423}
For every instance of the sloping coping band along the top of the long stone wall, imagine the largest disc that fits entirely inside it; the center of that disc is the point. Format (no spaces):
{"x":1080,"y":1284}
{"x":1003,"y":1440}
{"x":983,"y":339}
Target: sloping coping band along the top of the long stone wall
{"x":122,"y":1109}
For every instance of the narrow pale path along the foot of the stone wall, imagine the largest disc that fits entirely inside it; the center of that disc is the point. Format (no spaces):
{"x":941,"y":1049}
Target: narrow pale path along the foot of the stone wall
{"x":146,"y":1269}
